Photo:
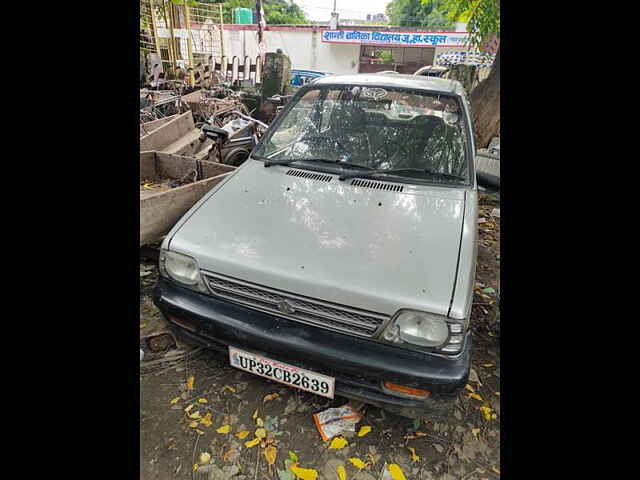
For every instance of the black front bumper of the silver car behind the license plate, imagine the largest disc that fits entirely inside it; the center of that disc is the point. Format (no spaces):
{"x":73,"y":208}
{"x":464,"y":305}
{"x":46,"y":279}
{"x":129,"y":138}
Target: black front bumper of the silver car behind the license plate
{"x":359,"y":365}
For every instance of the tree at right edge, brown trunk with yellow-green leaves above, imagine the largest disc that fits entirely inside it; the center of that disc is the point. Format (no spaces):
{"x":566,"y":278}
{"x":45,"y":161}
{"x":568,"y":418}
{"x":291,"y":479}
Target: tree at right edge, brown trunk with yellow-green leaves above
{"x":483,"y":21}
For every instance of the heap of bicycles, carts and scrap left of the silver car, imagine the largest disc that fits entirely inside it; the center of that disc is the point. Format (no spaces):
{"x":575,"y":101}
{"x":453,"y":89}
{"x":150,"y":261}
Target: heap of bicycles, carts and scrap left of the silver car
{"x":190,"y":139}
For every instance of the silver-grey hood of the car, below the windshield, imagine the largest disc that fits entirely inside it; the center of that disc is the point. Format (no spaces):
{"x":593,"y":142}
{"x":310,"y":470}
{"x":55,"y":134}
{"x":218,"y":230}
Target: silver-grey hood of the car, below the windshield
{"x":368,"y":248}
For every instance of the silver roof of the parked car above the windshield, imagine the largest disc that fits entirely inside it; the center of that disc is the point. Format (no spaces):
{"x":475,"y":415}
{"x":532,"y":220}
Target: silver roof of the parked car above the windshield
{"x":398,"y":80}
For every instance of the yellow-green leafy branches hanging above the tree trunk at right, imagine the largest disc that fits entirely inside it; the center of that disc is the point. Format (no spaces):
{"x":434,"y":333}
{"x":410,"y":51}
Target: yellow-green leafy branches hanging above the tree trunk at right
{"x":482,"y":17}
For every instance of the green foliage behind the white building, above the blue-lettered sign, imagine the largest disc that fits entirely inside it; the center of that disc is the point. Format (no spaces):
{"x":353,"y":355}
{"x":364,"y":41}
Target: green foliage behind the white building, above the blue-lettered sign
{"x":429,"y":14}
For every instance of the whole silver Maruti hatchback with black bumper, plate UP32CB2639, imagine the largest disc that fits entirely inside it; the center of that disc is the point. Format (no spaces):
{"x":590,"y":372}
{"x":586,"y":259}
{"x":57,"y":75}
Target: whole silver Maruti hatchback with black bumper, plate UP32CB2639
{"x":340,"y":257}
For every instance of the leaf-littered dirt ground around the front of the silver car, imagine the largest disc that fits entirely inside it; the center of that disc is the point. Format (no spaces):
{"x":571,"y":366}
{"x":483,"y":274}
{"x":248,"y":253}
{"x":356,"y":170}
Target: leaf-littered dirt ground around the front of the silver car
{"x":466,"y":446}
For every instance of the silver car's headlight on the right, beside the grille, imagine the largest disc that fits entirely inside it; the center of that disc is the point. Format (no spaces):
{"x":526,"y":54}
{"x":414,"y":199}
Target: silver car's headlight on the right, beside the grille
{"x":424,"y":329}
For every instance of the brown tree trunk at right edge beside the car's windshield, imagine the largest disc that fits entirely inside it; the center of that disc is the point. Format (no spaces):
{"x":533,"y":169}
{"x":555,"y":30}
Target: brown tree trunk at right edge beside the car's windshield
{"x":485,"y":106}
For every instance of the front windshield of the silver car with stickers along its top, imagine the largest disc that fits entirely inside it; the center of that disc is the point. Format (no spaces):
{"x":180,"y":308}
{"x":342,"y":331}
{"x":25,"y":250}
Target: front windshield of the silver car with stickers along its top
{"x":414,"y":133}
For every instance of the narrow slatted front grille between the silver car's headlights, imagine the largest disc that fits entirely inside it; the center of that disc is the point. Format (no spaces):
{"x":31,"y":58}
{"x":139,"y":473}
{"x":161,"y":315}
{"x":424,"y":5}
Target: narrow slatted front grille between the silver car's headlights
{"x":306,"y":310}
